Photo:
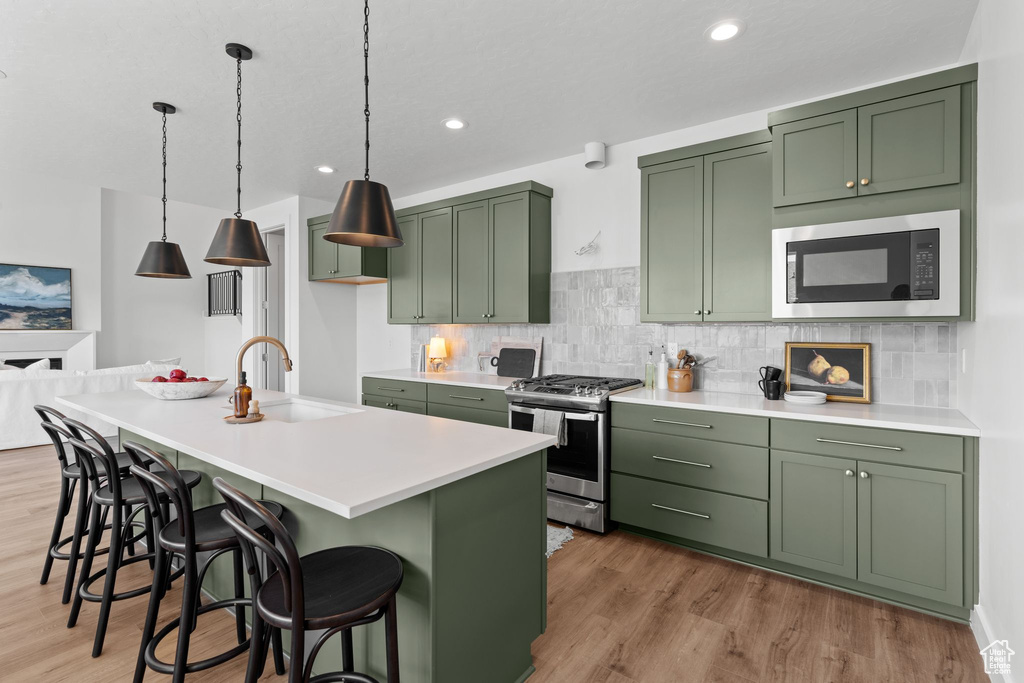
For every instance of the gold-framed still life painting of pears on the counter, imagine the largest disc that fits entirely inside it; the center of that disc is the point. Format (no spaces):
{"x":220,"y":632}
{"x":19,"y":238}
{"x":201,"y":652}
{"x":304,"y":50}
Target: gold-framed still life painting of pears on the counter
{"x":842,"y":372}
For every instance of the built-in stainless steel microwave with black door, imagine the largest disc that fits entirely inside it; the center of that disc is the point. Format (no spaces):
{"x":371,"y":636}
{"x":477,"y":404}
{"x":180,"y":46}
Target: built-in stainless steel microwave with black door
{"x":880,"y":268}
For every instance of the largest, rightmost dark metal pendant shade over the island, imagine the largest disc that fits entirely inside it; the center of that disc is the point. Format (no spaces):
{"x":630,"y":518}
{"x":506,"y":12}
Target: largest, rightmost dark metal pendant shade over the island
{"x":365,"y":218}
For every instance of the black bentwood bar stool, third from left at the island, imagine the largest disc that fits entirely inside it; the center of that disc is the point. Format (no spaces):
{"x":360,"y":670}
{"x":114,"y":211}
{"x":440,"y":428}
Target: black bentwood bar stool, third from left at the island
{"x":192,"y":533}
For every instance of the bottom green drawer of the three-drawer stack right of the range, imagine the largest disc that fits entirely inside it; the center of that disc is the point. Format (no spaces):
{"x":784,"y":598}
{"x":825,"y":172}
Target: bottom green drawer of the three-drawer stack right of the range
{"x":718,"y":520}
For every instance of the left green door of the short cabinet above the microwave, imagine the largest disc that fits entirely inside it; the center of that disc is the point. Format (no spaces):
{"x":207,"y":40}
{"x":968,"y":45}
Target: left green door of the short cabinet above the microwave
{"x":816,"y":159}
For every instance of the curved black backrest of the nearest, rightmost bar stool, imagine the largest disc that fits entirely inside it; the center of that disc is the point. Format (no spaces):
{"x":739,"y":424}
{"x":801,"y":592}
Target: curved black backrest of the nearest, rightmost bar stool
{"x":275,"y":542}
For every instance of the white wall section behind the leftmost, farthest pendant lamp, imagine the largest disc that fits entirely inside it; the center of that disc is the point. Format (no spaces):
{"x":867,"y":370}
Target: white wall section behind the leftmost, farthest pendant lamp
{"x":149,"y":318}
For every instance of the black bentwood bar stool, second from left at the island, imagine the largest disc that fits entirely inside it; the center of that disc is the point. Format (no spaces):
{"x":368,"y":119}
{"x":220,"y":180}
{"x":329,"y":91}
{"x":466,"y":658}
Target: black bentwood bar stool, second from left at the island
{"x":98,"y":459}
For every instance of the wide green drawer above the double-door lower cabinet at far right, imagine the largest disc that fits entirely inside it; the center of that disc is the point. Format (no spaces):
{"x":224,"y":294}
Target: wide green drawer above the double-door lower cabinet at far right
{"x":884,"y":446}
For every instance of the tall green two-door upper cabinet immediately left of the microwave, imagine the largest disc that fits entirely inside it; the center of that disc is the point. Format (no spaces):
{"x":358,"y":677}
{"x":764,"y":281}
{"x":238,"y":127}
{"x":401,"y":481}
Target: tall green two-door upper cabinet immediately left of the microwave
{"x":706,"y":232}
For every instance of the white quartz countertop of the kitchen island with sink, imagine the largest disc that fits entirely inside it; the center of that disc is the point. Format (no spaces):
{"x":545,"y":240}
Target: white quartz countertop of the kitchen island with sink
{"x":350,"y":464}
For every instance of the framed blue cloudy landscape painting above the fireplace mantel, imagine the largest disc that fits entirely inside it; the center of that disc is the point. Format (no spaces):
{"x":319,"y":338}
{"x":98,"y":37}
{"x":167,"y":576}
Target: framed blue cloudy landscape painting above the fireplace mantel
{"x":34,"y":297}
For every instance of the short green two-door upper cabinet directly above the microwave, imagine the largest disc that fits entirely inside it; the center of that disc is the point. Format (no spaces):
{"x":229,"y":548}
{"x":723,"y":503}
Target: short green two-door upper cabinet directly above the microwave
{"x":891,"y":146}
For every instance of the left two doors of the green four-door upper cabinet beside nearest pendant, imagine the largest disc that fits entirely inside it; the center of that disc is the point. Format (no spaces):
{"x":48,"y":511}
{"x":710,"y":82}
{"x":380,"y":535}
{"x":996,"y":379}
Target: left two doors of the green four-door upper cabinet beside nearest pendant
{"x":420,"y":271}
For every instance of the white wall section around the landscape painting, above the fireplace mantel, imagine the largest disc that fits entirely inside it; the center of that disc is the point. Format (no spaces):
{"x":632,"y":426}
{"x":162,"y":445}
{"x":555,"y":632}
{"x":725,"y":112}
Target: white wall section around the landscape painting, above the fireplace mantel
{"x":56,"y":223}
